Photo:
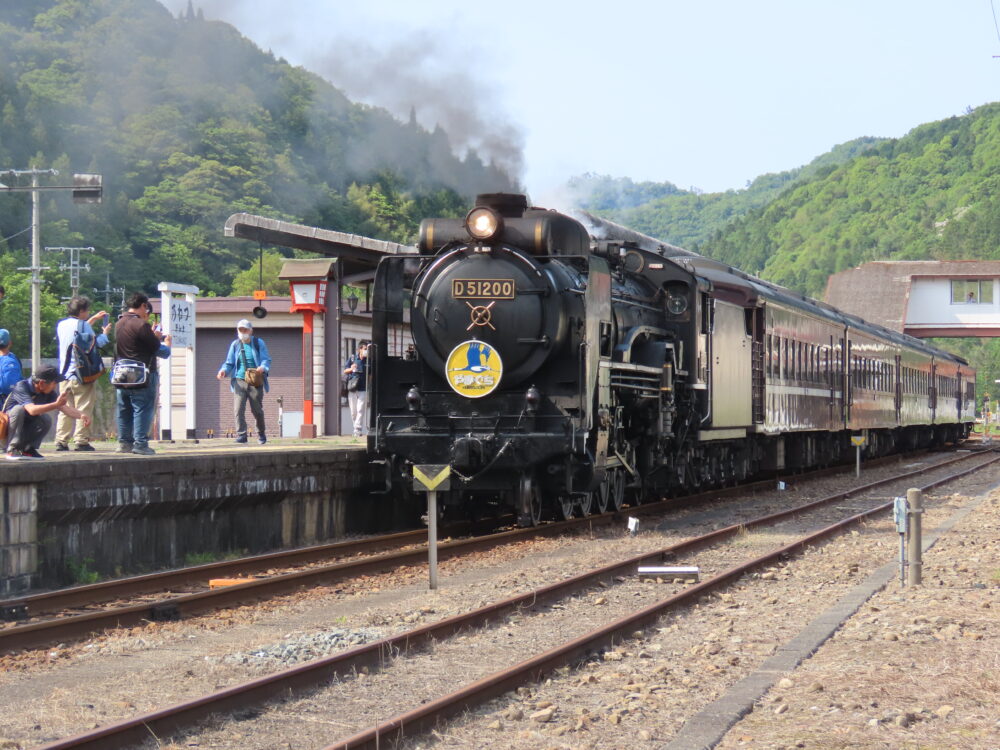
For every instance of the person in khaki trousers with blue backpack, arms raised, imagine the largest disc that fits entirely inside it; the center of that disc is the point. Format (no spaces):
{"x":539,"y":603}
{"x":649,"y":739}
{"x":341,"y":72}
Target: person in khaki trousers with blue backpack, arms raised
{"x":80,"y":395}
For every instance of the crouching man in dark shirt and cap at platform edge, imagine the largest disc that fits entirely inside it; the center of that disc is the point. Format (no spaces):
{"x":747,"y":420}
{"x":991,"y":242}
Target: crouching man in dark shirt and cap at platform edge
{"x":28,"y":408}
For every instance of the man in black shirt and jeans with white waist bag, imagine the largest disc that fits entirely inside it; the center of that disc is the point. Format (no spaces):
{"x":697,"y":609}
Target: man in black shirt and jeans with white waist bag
{"x":135,"y":339}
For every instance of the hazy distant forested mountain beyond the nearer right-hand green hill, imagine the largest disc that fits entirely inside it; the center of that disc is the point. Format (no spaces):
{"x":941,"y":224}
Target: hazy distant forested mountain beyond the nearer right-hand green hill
{"x":688,"y":218}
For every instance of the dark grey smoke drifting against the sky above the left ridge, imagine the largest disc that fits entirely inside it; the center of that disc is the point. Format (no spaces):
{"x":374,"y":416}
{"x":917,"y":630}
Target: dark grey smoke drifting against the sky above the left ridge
{"x":402,"y":70}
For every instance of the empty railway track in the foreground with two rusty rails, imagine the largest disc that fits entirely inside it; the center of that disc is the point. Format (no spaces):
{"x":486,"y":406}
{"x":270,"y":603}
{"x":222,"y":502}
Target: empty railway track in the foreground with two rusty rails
{"x":374,"y":655}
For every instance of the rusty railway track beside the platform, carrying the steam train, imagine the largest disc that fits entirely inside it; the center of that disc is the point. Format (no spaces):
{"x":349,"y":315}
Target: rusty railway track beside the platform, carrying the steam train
{"x":66,"y":621}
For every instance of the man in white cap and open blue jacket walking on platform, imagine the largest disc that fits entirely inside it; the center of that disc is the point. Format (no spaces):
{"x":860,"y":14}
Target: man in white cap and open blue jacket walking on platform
{"x":247,"y":365}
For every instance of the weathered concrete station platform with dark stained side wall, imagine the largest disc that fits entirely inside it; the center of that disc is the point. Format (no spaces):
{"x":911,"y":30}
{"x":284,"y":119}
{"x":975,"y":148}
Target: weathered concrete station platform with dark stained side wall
{"x":75,"y":517}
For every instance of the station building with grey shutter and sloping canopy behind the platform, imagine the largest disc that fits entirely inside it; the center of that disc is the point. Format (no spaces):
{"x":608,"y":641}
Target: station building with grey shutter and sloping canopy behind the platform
{"x":342,"y":321}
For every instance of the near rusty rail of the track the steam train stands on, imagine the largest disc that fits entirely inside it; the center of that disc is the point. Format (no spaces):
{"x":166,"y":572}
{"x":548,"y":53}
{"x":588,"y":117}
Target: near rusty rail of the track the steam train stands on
{"x":44,"y":633}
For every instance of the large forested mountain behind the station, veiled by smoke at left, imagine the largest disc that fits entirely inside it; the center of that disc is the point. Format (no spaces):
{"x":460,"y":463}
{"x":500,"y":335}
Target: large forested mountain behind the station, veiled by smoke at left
{"x":189,"y":122}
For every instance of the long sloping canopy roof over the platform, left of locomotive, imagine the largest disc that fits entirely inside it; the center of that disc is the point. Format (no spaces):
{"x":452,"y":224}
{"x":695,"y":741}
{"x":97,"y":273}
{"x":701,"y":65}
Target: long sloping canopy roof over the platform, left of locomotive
{"x":357,"y":253}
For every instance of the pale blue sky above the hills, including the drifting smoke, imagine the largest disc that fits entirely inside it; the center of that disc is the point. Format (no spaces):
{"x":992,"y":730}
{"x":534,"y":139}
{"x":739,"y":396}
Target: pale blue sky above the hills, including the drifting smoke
{"x":706,"y":95}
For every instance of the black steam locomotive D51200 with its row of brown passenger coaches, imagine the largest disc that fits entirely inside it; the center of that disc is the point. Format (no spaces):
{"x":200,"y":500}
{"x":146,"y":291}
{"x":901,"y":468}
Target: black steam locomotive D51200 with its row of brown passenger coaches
{"x":559,"y":373}
